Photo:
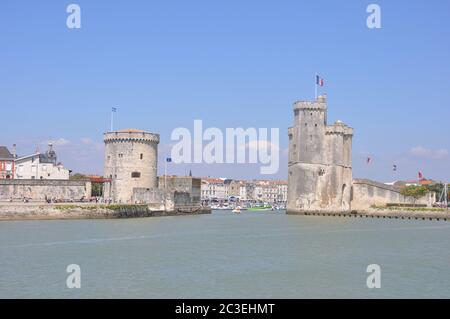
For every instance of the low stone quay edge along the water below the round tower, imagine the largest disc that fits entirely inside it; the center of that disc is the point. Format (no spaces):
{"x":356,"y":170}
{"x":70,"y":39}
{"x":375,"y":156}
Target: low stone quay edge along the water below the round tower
{"x":69,"y":211}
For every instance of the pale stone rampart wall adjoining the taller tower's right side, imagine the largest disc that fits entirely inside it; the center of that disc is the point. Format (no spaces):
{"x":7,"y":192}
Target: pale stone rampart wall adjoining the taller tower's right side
{"x":367,"y":193}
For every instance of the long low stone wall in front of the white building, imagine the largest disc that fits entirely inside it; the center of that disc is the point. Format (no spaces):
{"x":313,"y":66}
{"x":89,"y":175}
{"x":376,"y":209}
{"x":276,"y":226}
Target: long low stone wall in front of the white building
{"x":37,"y":190}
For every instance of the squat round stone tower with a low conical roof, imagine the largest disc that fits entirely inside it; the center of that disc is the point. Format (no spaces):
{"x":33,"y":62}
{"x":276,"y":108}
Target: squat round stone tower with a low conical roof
{"x":131,"y":159}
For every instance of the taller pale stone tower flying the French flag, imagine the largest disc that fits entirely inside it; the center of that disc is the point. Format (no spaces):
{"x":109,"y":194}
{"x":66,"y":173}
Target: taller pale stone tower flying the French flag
{"x":320,"y":160}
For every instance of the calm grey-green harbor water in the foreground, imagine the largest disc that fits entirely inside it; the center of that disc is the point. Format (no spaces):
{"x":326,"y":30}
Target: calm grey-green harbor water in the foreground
{"x":225,"y":255}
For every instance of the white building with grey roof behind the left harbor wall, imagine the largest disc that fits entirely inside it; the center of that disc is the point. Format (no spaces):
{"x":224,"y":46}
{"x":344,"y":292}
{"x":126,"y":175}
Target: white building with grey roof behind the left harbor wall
{"x":40,"y":166}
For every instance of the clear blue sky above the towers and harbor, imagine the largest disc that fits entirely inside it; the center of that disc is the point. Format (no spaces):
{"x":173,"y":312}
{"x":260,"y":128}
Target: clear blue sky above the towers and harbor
{"x":231,"y":64}
